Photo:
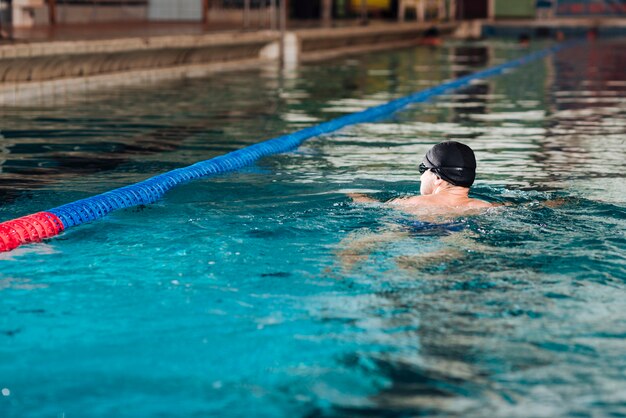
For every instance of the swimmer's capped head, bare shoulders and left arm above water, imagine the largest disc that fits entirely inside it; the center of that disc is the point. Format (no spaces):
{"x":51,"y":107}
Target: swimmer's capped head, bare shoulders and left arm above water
{"x":447,"y":172}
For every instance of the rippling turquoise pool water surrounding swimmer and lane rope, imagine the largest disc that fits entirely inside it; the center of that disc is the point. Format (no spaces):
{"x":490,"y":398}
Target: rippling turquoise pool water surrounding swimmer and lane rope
{"x":266,"y":292}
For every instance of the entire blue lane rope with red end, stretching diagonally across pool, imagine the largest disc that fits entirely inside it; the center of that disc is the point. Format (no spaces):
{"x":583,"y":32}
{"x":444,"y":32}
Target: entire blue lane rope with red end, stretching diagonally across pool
{"x":44,"y":225}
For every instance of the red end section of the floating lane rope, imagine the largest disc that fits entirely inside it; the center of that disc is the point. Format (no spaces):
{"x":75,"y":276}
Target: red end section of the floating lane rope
{"x":27,"y":229}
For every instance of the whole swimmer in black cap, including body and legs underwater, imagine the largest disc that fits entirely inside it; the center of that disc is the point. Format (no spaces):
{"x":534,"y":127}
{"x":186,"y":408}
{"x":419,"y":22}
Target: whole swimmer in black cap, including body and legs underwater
{"x":448,"y":170}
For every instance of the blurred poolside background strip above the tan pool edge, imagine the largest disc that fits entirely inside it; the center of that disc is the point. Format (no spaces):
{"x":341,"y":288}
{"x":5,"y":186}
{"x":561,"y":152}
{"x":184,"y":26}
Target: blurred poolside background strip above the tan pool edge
{"x":263,"y":14}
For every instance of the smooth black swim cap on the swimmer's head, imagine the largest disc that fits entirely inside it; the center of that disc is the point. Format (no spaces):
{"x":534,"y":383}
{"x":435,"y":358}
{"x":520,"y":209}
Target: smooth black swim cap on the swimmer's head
{"x":452,"y":161}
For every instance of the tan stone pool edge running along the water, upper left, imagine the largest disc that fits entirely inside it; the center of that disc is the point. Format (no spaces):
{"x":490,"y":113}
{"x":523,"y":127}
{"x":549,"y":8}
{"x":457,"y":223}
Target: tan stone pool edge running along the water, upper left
{"x":39,"y":62}
